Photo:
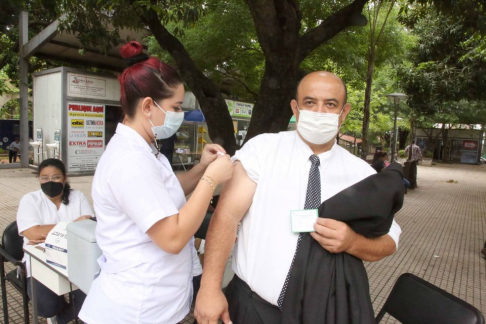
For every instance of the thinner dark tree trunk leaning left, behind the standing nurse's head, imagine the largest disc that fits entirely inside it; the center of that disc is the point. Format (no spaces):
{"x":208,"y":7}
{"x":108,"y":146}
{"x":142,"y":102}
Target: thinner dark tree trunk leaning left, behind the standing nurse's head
{"x":213,"y":106}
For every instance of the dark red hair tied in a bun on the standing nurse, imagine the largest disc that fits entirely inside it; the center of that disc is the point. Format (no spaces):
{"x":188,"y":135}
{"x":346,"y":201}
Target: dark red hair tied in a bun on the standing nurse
{"x":144,"y":77}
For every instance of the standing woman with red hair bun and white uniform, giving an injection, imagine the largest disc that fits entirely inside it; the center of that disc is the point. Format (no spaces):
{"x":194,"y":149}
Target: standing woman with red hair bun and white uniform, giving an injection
{"x":145,"y":226}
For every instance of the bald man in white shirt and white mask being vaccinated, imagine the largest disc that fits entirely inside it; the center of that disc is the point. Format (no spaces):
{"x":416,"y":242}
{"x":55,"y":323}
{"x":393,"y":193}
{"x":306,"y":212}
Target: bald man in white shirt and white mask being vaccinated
{"x":270,"y":181}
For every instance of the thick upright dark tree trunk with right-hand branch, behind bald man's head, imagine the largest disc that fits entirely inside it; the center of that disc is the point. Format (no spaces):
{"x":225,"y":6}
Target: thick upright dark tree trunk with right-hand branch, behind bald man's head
{"x":278,"y":25}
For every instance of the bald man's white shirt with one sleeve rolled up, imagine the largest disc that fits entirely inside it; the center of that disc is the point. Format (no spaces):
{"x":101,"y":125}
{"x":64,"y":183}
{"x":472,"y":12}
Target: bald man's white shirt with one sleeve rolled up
{"x":279,"y":164}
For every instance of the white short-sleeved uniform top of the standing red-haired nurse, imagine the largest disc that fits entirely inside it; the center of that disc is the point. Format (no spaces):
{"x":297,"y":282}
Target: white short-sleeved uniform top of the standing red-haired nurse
{"x":139,"y":282}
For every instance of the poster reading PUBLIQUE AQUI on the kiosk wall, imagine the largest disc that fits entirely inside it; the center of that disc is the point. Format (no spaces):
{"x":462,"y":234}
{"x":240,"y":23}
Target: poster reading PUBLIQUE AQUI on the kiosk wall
{"x":85,"y":136}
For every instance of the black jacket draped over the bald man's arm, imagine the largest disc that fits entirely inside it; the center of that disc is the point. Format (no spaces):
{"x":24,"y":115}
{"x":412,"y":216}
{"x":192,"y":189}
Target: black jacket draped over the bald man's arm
{"x":333,"y":288}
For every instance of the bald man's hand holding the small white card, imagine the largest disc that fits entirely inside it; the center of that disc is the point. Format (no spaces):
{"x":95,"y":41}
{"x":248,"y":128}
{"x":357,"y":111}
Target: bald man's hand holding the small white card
{"x":333,"y":235}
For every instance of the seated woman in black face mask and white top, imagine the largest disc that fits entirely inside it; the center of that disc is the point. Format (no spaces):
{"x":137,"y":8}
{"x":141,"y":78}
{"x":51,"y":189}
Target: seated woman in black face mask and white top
{"x":39,"y":211}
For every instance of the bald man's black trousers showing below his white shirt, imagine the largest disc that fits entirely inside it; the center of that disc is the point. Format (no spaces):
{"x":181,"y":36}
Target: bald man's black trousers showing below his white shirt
{"x":246,"y":307}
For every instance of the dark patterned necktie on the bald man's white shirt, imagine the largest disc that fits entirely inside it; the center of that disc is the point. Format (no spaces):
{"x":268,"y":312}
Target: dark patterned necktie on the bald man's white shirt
{"x":312,"y":201}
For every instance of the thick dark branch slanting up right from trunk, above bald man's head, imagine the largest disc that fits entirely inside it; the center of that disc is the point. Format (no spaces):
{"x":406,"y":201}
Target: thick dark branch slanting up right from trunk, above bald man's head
{"x":329,"y":28}
